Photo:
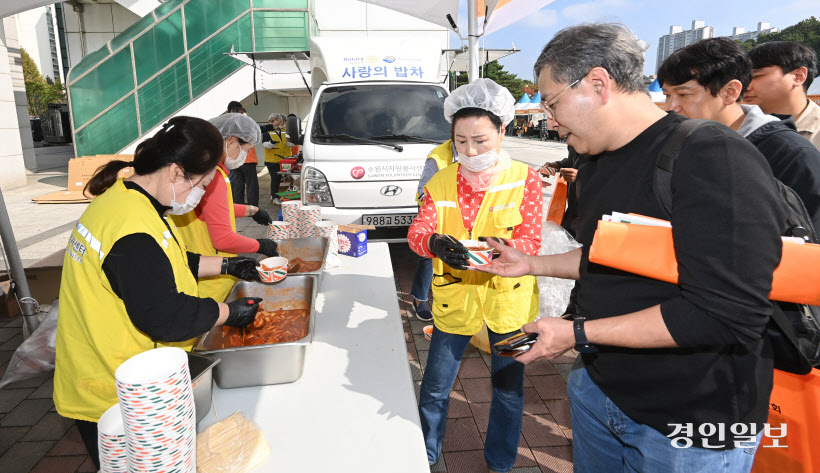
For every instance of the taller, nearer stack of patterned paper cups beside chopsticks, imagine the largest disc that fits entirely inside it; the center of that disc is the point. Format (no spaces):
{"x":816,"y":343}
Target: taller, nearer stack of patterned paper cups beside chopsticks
{"x":157,"y":403}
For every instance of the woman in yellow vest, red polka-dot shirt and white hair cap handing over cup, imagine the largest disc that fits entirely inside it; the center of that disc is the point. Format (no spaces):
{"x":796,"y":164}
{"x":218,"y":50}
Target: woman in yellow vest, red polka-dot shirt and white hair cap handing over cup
{"x":484,"y":195}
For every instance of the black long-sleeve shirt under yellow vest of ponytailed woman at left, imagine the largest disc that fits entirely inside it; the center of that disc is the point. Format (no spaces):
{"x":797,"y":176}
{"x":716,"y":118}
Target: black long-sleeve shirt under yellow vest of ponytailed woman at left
{"x":141,"y":275}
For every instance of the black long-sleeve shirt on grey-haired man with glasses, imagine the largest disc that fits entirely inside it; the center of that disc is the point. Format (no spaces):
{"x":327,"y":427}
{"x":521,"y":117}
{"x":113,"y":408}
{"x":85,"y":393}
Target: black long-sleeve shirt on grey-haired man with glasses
{"x":726,"y":224}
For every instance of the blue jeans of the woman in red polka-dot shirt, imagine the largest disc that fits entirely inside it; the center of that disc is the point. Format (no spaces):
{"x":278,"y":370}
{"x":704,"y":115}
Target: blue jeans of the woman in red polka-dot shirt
{"x":506,"y":410}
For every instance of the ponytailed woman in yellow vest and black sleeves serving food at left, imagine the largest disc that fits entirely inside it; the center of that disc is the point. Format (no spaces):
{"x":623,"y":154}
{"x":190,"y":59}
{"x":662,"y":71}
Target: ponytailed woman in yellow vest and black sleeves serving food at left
{"x":129,"y":282}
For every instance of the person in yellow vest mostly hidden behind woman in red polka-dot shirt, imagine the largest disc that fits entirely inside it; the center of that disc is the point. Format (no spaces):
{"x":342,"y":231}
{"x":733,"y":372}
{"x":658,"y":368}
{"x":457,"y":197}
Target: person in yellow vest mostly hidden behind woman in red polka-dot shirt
{"x":439,"y":158}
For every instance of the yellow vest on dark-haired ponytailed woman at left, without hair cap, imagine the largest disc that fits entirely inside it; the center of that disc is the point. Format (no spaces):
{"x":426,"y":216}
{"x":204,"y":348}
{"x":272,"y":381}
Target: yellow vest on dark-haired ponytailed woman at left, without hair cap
{"x":94,"y":333}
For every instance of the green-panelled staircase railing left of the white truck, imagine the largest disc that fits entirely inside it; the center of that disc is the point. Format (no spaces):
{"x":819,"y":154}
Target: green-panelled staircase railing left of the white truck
{"x":170,"y":58}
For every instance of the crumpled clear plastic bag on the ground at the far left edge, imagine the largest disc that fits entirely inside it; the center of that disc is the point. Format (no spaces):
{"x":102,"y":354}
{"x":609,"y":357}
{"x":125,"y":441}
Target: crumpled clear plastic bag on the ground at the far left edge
{"x":35,"y":355}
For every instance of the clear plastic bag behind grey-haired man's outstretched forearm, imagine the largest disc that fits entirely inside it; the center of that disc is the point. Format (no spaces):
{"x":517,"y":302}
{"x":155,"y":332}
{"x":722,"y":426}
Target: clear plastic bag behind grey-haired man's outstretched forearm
{"x":554,"y":292}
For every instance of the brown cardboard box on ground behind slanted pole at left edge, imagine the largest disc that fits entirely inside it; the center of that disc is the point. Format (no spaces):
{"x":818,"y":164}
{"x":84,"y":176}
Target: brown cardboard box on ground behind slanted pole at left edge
{"x":43,"y":280}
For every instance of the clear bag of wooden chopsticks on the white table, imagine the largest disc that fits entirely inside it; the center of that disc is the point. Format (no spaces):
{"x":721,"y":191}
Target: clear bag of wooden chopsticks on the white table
{"x":232,"y":445}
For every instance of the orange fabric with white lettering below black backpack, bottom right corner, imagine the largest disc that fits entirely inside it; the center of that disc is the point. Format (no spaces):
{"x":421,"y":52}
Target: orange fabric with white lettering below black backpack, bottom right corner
{"x":795,"y":401}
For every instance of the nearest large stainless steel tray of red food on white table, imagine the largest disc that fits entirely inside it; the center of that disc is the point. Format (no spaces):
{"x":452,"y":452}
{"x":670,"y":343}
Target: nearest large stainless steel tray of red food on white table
{"x":276,"y":363}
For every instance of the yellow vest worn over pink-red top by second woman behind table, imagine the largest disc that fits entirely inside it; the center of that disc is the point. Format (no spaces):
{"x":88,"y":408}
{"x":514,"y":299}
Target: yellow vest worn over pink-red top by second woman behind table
{"x":195,"y":233}
